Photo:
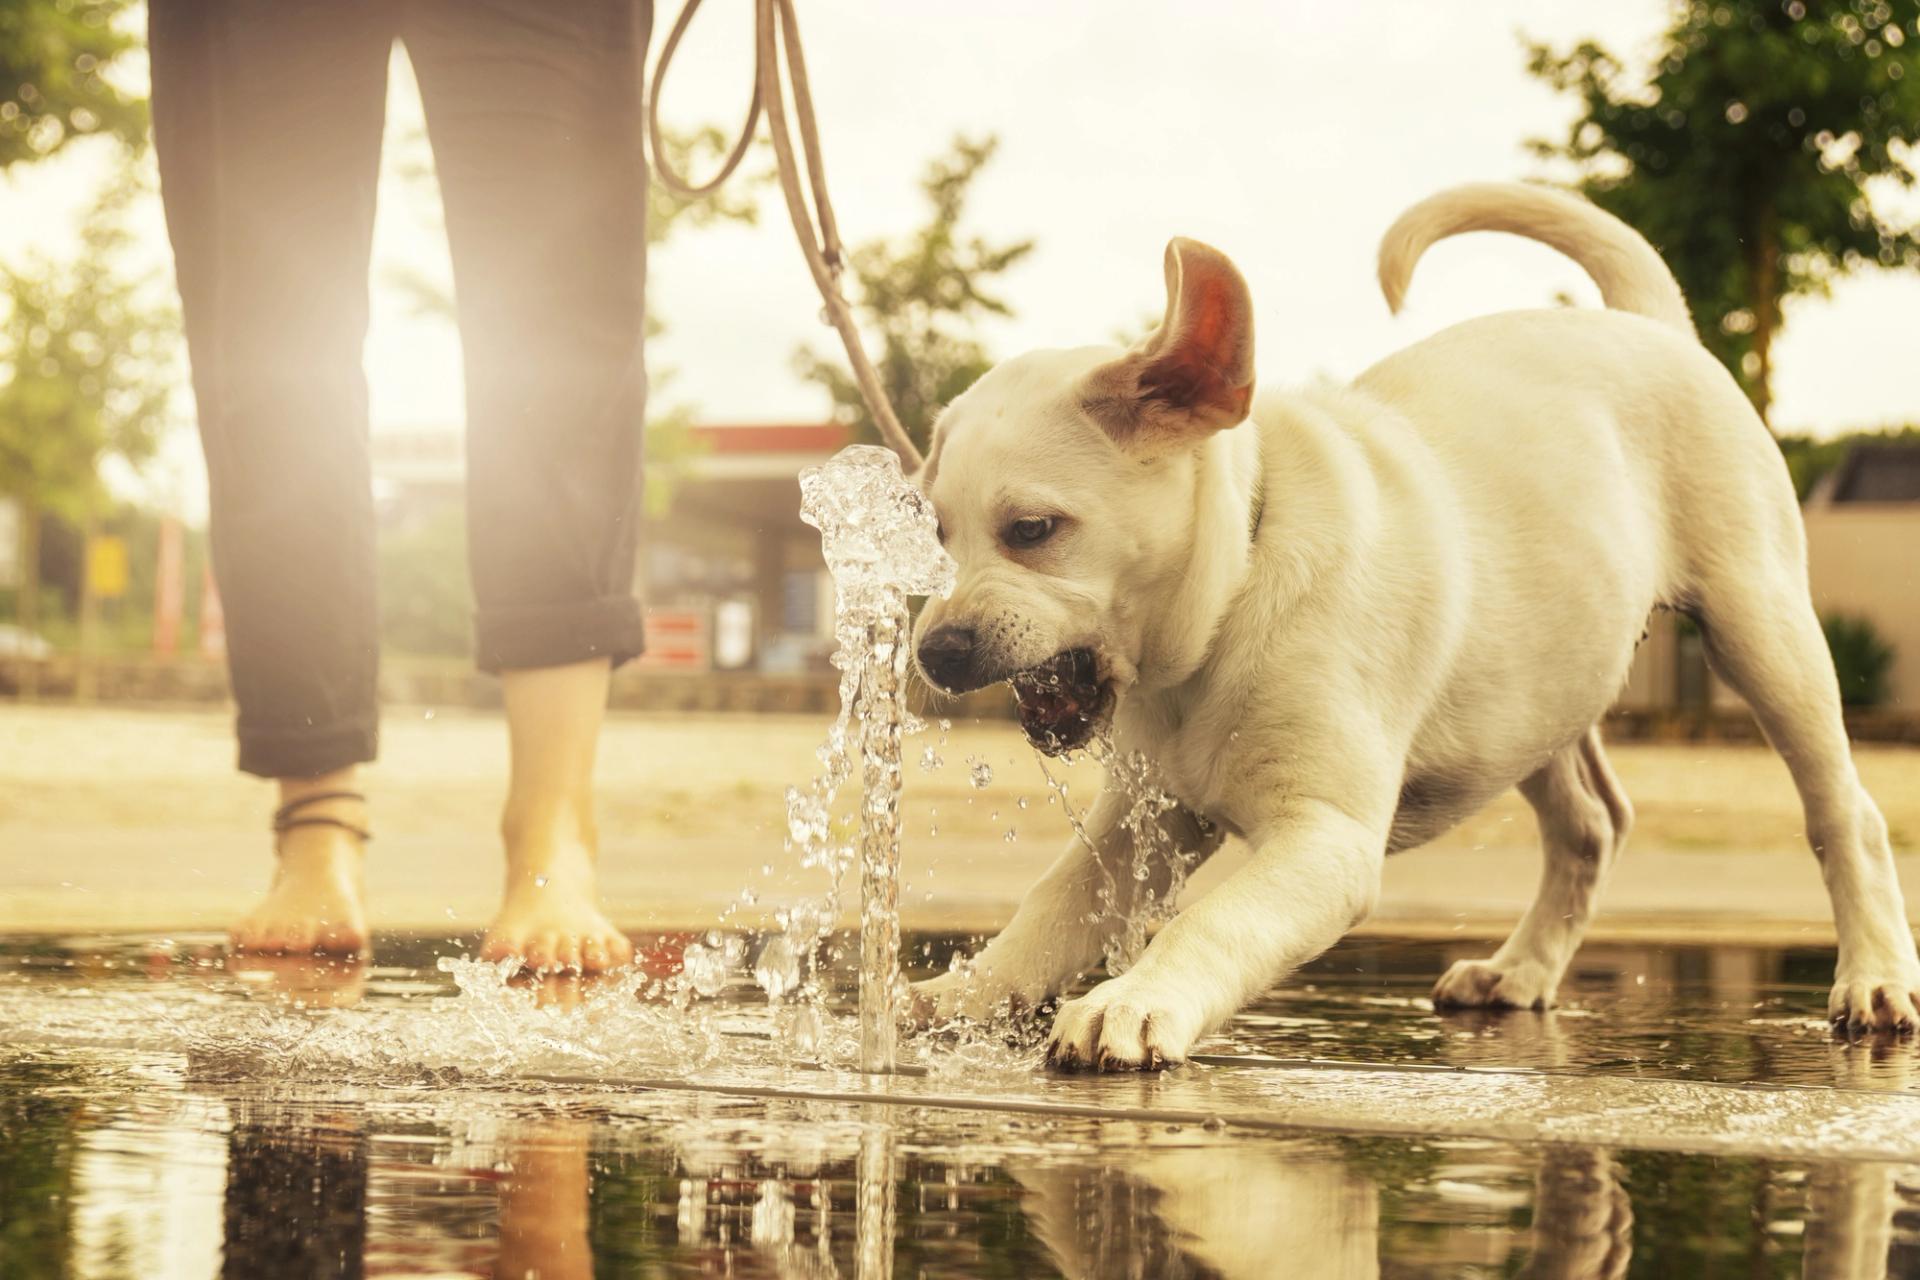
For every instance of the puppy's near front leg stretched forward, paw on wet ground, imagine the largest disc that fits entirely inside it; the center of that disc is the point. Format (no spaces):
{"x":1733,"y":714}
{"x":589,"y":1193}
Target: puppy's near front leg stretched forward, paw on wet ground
{"x":1316,"y":874}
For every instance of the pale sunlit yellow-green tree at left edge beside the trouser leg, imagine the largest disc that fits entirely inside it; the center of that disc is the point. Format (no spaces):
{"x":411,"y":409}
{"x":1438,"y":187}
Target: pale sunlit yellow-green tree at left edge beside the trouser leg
{"x":87,"y":373}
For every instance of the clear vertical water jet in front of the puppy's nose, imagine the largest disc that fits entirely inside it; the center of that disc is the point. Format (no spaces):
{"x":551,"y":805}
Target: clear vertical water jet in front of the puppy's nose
{"x":882,"y":546}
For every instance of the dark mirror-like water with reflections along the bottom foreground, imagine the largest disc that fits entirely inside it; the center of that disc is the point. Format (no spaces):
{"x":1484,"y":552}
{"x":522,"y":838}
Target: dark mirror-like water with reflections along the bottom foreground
{"x":492,"y":1185}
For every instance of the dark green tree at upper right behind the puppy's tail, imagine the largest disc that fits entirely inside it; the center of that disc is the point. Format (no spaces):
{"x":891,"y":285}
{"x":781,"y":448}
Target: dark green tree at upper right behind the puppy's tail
{"x":1748,"y":151}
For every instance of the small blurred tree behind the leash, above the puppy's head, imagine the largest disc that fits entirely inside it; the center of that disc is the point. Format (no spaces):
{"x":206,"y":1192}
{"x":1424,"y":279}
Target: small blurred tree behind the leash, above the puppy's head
{"x":921,"y":300}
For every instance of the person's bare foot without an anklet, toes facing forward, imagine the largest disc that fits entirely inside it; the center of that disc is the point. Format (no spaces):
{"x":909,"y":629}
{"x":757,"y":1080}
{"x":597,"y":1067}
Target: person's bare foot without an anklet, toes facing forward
{"x":550,"y":918}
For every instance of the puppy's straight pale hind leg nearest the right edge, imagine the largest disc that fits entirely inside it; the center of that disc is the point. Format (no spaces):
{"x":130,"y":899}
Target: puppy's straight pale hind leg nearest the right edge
{"x":1765,"y":640}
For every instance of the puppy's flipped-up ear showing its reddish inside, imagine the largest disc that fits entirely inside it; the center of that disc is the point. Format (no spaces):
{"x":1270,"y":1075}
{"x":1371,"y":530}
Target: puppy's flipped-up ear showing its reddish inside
{"x":1195,"y":373}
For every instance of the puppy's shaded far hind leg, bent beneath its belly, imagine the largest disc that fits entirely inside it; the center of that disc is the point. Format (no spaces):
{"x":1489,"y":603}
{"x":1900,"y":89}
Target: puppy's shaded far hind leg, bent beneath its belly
{"x":1583,"y":826}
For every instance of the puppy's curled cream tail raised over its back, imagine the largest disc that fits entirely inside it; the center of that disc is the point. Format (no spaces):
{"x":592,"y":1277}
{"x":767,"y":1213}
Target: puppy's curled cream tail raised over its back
{"x":1627,"y":270}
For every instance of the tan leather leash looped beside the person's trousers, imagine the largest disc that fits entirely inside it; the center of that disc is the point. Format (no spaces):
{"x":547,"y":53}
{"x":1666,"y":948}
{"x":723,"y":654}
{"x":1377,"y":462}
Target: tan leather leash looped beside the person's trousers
{"x":819,"y":245}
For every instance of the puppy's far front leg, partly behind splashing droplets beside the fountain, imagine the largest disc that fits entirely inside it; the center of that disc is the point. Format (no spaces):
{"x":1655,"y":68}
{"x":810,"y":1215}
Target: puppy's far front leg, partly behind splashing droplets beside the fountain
{"x":1070,"y":916}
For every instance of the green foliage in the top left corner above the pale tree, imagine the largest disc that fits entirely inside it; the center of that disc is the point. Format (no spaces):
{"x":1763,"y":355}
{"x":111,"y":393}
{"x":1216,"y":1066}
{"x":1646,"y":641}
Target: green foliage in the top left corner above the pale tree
{"x":53,"y":85}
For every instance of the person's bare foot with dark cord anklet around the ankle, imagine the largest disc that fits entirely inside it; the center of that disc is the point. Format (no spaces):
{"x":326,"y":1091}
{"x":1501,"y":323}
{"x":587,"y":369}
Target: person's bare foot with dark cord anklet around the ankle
{"x":318,"y":897}
